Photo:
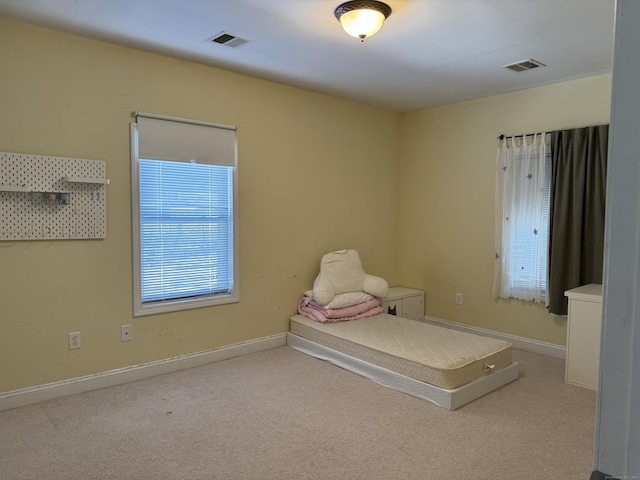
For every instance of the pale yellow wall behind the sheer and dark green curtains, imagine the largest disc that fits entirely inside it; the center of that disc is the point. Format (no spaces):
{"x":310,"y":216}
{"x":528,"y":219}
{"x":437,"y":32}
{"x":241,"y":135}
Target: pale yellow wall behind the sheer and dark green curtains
{"x":446,"y":209}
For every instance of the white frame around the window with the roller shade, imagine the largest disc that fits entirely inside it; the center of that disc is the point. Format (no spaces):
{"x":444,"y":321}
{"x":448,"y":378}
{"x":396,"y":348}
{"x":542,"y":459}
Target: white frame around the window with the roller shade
{"x":141,"y":308}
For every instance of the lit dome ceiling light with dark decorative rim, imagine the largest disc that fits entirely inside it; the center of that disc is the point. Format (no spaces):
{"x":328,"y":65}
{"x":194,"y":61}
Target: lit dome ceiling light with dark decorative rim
{"x":361,"y":18}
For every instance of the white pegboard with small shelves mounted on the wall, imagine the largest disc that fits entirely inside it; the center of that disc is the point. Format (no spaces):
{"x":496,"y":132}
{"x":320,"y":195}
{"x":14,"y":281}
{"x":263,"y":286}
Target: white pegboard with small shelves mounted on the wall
{"x":52,"y":198}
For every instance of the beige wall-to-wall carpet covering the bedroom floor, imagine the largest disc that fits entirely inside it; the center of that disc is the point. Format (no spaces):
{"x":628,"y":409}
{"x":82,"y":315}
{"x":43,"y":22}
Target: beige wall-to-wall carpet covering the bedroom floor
{"x":280,"y":414}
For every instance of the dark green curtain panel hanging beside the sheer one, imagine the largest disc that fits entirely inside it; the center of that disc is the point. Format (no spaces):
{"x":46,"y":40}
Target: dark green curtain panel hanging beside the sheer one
{"x":576,"y":211}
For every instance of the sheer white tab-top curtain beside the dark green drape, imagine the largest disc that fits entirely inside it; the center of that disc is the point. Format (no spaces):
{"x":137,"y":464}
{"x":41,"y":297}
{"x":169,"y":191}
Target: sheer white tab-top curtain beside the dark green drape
{"x":522,"y":189}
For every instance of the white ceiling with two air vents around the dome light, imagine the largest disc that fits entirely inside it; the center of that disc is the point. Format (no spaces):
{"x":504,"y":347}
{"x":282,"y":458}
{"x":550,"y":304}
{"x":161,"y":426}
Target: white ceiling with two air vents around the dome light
{"x":428,"y":52}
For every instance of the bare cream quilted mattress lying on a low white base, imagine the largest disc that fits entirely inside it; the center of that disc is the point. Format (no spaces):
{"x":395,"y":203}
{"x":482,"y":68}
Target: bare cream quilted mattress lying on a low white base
{"x":436,"y":355}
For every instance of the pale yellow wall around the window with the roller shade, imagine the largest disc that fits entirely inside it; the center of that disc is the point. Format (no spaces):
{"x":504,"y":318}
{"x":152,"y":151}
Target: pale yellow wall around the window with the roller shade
{"x":312,"y":178}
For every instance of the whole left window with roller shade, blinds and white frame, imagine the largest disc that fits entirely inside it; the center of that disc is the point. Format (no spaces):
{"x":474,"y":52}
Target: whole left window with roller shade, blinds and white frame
{"x":184,"y":215}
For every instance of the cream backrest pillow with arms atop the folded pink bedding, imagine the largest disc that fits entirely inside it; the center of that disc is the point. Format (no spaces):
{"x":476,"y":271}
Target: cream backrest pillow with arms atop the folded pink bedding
{"x":341,"y":272}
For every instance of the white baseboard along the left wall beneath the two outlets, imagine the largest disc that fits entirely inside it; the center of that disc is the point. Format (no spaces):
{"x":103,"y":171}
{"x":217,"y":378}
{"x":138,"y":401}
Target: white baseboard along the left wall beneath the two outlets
{"x":30,"y":395}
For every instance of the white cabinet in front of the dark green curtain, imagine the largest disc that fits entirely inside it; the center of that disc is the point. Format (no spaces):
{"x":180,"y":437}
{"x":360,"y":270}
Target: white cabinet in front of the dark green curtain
{"x":583,"y":335}
